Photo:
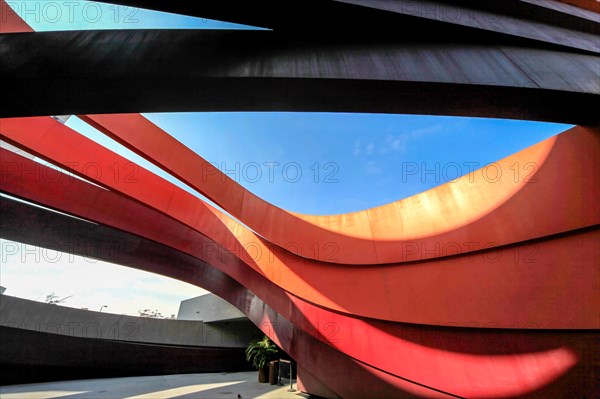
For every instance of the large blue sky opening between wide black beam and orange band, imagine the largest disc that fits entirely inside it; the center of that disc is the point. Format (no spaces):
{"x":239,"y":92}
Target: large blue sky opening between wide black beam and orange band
{"x":347,"y":162}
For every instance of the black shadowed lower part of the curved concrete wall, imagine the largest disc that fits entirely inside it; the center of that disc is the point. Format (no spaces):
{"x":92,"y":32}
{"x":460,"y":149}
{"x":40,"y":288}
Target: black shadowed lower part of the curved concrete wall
{"x":31,"y":356}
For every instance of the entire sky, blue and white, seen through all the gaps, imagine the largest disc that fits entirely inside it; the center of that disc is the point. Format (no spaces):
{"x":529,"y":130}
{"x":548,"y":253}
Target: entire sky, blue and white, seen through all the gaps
{"x":317,"y":163}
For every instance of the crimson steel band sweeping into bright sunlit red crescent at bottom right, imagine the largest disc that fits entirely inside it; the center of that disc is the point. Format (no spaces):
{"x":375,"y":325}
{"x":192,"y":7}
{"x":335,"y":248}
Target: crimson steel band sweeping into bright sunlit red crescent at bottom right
{"x":394,"y":341}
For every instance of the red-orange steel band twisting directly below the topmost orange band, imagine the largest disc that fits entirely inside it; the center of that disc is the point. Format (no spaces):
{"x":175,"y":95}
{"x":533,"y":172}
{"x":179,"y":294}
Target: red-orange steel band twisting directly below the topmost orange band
{"x":397,"y":296}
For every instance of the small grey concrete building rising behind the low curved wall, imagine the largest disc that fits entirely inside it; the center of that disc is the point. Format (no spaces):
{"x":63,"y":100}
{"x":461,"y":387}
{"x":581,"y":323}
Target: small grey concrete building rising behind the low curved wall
{"x":208,"y":308}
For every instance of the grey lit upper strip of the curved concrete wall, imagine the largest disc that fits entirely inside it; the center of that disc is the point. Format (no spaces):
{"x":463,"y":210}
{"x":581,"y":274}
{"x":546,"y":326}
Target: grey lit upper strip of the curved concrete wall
{"x":55,"y":319}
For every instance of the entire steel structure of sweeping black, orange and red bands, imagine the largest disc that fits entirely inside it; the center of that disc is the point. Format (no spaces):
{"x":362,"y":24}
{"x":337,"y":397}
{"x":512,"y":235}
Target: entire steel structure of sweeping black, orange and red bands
{"x":403,"y":303}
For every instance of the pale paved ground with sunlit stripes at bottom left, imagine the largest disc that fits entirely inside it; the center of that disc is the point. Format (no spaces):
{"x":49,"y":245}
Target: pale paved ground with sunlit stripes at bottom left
{"x":188,"y":386}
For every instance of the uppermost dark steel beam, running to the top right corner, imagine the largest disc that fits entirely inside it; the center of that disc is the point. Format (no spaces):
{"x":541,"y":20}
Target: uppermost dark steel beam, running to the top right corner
{"x":426,"y":19}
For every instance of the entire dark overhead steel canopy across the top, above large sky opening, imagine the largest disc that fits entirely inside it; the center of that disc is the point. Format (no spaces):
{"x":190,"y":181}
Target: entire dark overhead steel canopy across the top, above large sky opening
{"x":515,"y":60}
